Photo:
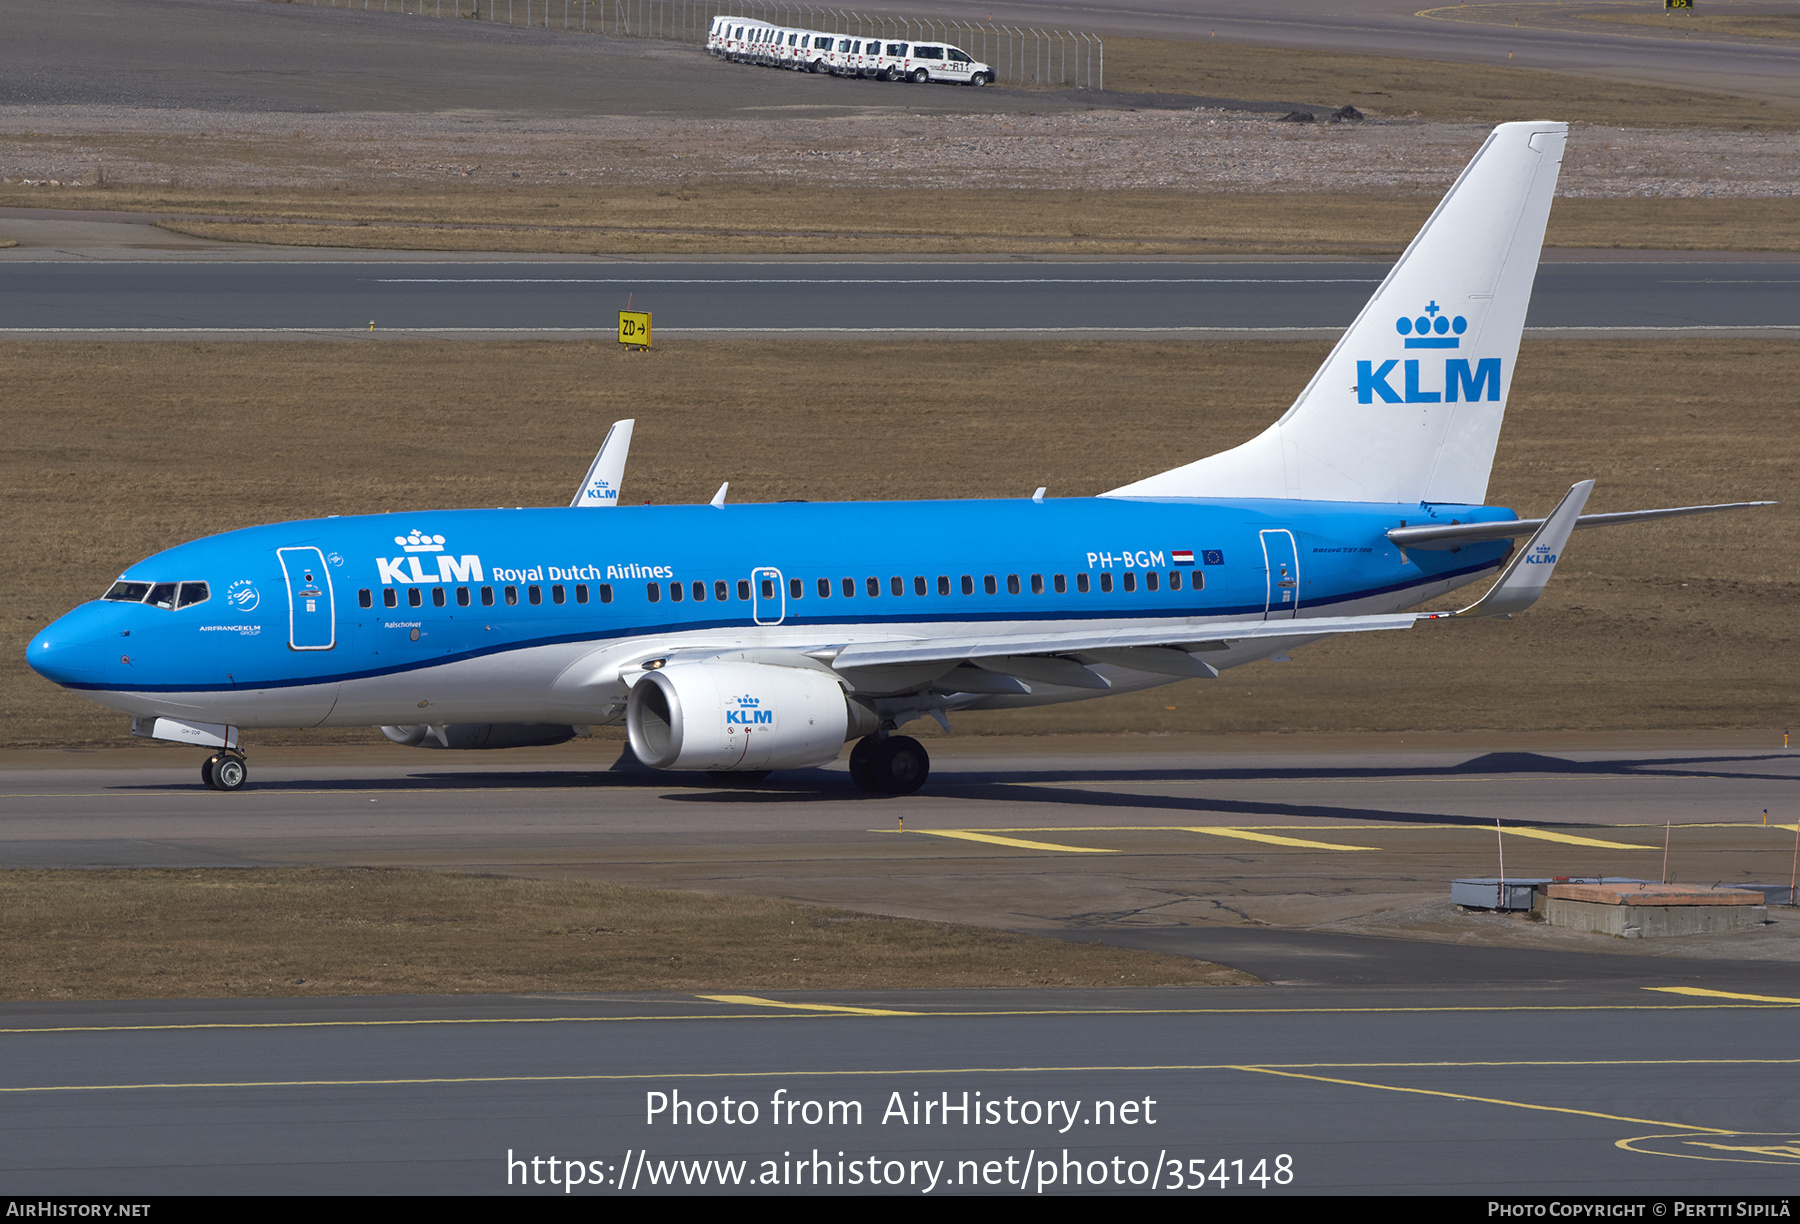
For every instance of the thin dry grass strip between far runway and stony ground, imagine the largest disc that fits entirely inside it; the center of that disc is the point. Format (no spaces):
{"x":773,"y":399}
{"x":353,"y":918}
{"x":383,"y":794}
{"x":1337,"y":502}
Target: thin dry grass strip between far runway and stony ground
{"x":845,"y":220}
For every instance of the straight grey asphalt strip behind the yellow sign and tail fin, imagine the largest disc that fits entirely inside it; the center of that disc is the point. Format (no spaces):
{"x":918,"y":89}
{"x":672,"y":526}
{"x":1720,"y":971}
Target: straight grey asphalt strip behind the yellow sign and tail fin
{"x":582,"y":298}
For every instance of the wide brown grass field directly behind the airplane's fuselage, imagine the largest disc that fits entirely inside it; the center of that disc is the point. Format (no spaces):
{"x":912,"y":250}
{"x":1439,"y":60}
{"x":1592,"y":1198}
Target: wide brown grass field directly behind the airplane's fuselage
{"x":118,"y":451}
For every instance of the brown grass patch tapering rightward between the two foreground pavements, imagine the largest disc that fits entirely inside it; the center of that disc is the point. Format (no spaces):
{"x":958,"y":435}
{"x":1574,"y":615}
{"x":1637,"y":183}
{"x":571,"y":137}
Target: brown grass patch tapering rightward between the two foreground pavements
{"x":222,"y":935}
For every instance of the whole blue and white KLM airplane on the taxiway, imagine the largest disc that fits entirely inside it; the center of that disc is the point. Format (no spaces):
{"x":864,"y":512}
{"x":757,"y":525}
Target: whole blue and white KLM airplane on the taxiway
{"x":751,"y":638}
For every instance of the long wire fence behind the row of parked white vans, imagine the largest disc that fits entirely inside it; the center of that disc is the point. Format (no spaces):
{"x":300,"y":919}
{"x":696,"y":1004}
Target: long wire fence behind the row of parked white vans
{"x":1018,"y":55}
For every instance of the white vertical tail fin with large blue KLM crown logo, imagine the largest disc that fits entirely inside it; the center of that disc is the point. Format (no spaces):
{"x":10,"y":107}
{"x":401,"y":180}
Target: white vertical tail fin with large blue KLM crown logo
{"x":1408,"y":406}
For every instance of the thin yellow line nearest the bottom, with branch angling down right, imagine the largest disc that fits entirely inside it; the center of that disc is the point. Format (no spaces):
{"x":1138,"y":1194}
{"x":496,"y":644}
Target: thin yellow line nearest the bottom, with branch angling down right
{"x":1282,"y":1070}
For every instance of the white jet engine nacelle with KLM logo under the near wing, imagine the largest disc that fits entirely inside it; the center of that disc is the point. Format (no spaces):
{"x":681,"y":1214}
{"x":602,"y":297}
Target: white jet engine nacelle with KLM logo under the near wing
{"x":741,"y":717}
